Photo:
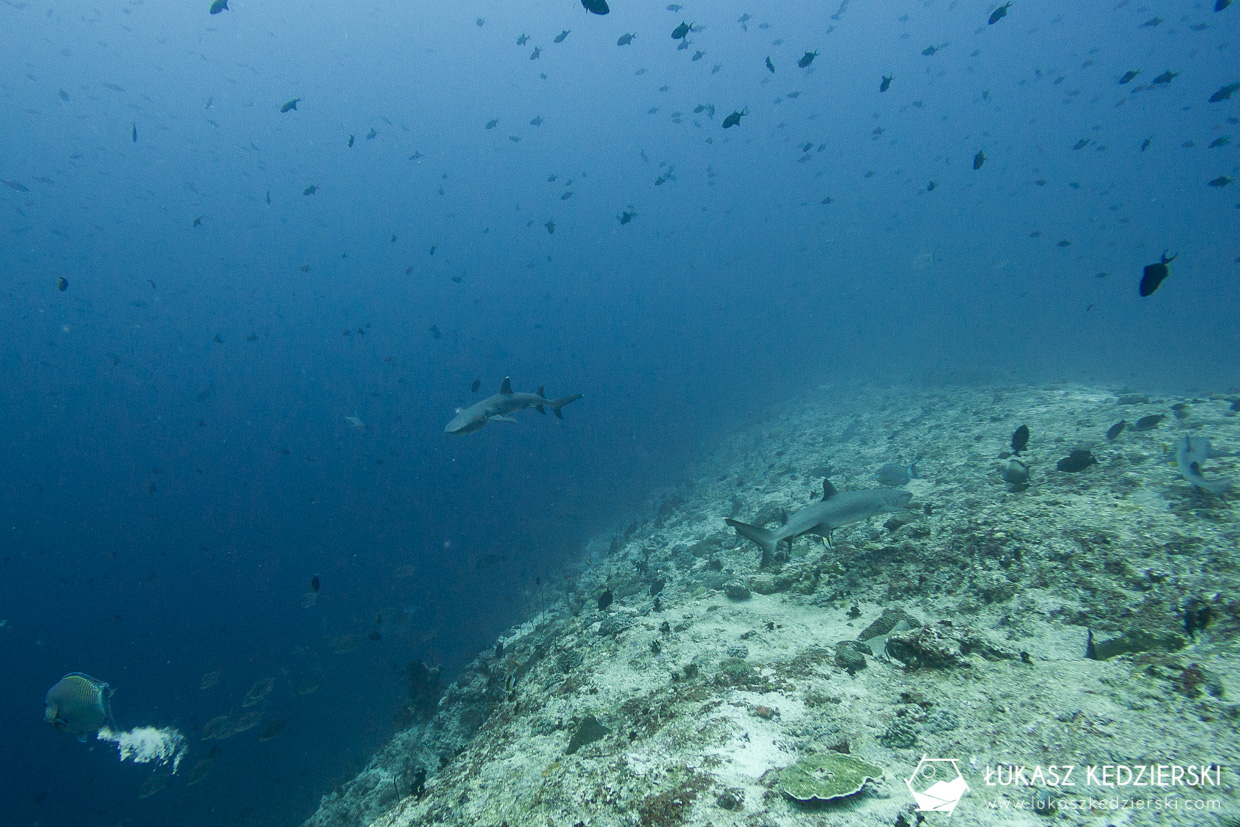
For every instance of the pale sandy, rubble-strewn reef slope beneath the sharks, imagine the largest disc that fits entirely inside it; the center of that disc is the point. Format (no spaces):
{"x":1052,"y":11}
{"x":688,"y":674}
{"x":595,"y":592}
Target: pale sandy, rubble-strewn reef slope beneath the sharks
{"x":707,"y":694}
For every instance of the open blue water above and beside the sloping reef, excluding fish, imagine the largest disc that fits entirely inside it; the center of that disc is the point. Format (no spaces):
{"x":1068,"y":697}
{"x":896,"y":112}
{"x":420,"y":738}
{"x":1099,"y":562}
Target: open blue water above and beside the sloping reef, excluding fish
{"x":167,"y":497}
